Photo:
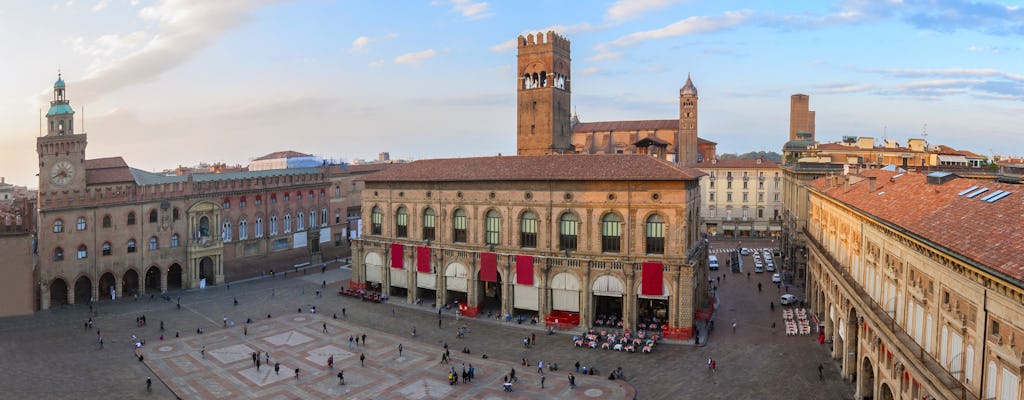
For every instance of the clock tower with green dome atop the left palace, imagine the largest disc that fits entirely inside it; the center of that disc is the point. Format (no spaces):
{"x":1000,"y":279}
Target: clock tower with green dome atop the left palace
{"x":62,"y":153}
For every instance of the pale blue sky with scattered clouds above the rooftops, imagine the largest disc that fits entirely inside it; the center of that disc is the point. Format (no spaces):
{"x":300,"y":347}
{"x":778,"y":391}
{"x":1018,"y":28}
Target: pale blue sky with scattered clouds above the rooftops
{"x":181,"y":82}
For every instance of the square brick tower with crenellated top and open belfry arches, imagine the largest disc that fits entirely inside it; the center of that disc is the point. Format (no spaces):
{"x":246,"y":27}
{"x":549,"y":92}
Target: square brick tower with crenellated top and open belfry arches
{"x":543,"y":95}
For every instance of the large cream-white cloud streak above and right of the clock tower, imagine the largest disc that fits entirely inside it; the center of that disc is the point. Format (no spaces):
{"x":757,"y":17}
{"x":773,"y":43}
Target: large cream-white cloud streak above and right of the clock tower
{"x":180,"y":30}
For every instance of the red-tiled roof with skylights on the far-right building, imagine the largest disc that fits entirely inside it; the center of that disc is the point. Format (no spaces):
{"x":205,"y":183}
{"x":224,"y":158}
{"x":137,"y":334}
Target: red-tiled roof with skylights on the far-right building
{"x":990,"y":234}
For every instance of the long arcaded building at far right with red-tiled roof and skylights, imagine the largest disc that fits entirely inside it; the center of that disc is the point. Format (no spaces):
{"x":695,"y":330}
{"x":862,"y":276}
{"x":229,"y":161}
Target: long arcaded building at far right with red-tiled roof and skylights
{"x":918,"y":282}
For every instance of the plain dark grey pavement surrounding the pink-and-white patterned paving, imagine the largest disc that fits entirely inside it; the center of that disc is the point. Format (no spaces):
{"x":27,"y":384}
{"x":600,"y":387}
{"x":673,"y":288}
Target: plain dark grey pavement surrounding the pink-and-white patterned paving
{"x":52,"y":355}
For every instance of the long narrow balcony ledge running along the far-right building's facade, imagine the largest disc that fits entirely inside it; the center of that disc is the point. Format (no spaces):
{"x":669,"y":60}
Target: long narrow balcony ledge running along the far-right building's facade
{"x":917,"y":359}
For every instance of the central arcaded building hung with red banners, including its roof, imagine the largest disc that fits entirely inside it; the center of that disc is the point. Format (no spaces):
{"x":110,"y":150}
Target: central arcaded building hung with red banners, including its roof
{"x":569,"y":239}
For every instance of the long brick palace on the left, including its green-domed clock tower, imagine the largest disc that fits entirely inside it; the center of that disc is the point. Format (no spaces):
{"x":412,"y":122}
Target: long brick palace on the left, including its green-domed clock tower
{"x":109,"y":231}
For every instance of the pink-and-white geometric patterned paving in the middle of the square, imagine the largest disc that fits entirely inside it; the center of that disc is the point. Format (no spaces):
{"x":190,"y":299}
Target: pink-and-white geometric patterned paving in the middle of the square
{"x":298,"y":342}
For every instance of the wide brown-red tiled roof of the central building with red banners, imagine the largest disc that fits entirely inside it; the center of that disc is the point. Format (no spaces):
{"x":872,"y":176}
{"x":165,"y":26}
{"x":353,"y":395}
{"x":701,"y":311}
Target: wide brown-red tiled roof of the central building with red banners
{"x":534,"y":168}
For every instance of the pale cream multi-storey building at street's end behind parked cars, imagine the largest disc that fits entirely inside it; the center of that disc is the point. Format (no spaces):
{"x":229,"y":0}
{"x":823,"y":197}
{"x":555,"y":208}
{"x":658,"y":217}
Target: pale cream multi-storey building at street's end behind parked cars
{"x":743,"y":198}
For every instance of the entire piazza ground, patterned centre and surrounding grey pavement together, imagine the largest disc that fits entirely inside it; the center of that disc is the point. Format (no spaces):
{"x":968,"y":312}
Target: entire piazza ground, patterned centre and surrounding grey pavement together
{"x":51,"y":355}
